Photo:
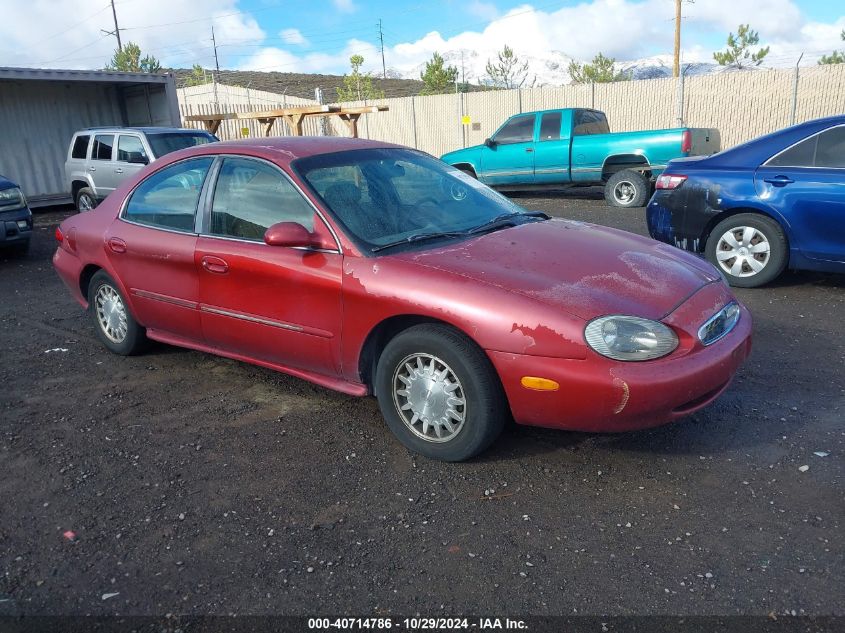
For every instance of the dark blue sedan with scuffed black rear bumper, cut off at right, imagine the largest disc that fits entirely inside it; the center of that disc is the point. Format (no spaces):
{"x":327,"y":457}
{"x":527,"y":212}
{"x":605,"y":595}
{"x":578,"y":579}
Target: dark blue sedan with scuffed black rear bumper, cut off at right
{"x":753,"y":210}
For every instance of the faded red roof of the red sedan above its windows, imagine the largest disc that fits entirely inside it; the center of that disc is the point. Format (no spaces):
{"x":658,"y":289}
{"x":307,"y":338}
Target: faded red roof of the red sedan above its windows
{"x":284,"y":149}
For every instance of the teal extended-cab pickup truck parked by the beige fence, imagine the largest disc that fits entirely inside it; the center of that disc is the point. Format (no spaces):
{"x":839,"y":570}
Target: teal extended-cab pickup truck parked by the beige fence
{"x":574,"y":146}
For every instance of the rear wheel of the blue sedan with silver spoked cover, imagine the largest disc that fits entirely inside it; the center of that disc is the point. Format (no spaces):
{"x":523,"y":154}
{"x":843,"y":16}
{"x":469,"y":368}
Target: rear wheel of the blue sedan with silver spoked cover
{"x":754,"y":264}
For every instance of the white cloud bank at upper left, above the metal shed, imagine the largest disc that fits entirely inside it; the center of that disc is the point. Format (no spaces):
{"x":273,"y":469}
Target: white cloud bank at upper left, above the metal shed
{"x":66,"y":33}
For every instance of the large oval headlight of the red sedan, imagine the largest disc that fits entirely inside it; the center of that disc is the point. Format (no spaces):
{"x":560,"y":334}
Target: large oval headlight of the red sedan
{"x":630,"y":338}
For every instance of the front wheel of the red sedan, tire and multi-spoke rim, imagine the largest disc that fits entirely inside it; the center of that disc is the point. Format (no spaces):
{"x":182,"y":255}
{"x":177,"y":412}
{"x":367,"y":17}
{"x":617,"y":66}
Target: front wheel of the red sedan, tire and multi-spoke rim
{"x":476,"y":410}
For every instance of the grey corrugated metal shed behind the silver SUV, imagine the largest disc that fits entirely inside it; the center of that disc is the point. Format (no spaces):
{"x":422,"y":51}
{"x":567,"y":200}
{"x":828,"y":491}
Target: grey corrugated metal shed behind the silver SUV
{"x":38,"y":119}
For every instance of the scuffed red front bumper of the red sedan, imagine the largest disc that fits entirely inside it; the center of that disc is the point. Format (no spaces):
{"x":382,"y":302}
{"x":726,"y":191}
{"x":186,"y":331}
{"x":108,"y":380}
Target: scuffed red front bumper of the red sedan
{"x":601,"y":395}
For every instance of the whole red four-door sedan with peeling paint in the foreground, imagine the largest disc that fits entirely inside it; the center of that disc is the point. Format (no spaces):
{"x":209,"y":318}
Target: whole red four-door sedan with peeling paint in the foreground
{"x":371,"y":268}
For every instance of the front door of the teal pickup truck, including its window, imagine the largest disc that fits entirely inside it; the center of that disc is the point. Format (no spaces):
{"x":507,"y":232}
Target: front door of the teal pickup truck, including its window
{"x":510,"y":161}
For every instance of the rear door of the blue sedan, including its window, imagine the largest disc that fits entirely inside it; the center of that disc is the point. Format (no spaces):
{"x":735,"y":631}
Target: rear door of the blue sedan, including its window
{"x":806,"y":185}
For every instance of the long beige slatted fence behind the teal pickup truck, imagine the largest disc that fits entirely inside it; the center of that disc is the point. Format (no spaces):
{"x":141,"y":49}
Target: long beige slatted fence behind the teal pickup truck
{"x":742,"y":105}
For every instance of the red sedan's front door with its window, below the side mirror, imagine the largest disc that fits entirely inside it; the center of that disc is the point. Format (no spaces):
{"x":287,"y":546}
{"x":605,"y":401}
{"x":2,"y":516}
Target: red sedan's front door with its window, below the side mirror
{"x":272,"y":303}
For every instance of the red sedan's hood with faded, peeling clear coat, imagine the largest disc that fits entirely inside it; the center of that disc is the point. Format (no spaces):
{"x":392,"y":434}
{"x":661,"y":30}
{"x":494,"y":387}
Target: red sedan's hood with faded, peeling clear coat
{"x":583,"y":269}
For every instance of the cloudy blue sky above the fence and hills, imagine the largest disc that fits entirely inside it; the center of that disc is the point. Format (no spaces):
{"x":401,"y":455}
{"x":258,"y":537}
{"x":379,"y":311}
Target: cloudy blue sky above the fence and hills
{"x":319,"y":36}
